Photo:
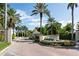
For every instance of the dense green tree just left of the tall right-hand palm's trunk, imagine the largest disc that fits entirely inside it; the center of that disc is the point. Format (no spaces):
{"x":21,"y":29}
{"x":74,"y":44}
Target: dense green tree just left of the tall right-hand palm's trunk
{"x":65,"y":32}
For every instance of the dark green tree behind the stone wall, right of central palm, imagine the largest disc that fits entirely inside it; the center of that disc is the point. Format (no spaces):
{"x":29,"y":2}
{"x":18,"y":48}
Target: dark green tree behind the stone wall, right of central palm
{"x":53,"y":26}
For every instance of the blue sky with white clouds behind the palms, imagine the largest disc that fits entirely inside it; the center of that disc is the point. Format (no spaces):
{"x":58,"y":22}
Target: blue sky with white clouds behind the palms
{"x":58,"y":10}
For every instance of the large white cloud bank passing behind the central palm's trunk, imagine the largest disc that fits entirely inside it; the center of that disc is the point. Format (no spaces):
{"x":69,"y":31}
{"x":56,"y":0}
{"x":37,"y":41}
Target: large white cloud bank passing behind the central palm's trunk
{"x":33,"y":22}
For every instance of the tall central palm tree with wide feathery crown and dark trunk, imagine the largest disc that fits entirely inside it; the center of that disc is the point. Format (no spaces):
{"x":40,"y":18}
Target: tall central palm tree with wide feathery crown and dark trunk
{"x":40,"y":8}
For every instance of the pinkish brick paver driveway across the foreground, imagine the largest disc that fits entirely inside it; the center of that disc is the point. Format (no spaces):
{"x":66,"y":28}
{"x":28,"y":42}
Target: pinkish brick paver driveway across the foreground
{"x":28,"y":48}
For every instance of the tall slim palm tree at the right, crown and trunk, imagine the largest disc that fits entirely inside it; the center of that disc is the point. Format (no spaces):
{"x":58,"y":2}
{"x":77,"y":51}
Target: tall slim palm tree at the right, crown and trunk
{"x":72,"y":6}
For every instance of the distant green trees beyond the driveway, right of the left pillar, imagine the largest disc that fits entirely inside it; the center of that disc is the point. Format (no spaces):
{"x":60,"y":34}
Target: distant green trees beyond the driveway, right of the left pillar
{"x":23,"y":31}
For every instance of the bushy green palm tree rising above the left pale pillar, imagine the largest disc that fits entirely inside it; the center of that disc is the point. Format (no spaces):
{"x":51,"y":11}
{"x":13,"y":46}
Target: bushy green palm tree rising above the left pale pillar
{"x":13,"y":18}
